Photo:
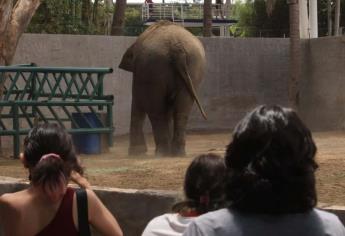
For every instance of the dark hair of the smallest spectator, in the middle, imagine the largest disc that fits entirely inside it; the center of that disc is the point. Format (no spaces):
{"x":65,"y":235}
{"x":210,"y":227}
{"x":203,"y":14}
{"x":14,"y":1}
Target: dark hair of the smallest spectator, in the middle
{"x":204,"y":184}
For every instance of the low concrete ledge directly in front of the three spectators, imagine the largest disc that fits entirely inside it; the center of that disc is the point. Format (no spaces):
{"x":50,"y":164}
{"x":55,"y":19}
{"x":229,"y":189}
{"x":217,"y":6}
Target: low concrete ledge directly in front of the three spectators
{"x":135,"y":208}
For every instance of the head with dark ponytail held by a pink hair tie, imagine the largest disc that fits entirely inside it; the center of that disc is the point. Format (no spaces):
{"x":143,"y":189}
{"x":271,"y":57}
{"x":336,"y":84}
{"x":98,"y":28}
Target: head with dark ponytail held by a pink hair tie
{"x":49,"y":155}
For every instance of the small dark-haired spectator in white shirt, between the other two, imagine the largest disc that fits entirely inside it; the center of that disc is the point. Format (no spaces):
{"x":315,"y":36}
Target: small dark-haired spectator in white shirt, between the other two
{"x":204,"y":192}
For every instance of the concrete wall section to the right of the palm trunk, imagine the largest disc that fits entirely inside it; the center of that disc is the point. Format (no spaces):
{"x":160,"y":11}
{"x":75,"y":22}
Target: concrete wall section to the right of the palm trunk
{"x":323,"y":83}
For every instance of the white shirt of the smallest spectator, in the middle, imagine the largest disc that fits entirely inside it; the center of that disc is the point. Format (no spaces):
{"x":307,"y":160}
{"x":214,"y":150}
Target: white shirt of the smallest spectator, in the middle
{"x":167,"y":225}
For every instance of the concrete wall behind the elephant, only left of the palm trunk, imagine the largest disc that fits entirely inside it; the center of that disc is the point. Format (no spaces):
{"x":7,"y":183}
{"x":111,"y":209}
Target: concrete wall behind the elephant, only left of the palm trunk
{"x":241,"y":73}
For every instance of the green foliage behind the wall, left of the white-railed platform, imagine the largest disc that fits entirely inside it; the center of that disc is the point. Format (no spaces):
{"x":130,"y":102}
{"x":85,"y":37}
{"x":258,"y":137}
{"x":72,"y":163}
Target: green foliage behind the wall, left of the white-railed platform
{"x":64,"y":17}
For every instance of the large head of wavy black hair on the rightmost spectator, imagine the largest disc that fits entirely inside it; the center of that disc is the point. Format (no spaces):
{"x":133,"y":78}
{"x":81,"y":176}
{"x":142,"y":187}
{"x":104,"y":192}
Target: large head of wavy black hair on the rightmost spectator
{"x":271,"y":163}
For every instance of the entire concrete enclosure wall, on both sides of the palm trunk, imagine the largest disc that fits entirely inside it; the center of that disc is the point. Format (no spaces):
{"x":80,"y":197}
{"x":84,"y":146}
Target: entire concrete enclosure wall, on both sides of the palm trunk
{"x":241,"y":73}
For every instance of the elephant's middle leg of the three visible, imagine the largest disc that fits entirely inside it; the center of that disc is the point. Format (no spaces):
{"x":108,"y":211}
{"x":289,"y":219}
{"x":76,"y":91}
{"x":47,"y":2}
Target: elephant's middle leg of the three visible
{"x":161,"y":126}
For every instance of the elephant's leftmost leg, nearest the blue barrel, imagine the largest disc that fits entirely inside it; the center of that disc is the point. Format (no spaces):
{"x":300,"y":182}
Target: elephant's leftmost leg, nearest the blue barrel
{"x":137,"y":144}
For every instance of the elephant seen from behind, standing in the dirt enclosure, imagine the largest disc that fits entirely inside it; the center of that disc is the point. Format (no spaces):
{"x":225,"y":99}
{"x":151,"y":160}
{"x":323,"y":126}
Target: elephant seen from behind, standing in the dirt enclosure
{"x":168,"y":64}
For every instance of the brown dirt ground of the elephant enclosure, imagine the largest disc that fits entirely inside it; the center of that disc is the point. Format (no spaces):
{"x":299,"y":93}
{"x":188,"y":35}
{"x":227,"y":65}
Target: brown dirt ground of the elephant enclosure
{"x":117,"y":169}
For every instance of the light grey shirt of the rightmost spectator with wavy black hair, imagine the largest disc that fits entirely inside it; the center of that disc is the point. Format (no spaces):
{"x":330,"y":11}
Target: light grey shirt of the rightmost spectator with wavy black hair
{"x":226,"y":222}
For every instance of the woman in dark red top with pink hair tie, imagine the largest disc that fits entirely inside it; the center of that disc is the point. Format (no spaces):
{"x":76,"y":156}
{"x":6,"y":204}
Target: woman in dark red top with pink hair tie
{"x":48,"y":206}
